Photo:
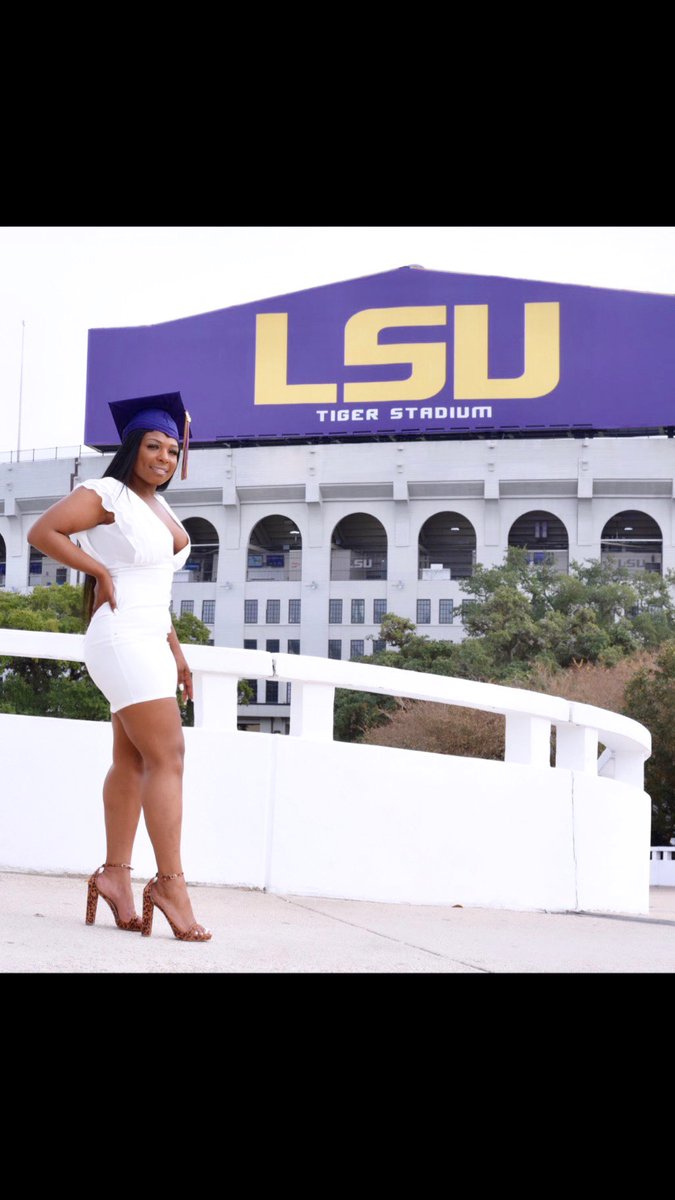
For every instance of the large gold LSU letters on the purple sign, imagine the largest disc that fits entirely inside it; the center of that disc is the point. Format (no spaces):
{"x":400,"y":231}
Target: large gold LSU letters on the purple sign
{"x":427,"y":361}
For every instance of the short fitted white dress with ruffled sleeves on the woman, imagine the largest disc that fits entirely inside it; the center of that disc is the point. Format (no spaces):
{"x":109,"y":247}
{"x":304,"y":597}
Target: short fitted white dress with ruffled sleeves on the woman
{"x":127,"y":650}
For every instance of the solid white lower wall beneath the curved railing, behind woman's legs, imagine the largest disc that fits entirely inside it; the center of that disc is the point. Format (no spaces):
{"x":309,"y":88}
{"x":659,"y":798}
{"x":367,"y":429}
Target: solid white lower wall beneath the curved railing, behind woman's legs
{"x":309,"y":818}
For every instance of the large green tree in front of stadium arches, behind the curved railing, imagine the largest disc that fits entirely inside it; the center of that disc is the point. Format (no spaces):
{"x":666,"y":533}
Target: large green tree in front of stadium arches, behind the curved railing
{"x":522,"y":619}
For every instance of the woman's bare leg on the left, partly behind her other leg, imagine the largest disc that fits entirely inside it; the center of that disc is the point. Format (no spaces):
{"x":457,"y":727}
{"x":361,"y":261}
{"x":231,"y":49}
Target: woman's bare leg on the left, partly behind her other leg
{"x":122,"y":805}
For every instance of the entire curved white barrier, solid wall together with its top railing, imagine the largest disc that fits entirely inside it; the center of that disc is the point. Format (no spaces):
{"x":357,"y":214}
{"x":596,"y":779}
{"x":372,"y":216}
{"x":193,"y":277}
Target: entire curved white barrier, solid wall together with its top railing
{"x":306,"y":815}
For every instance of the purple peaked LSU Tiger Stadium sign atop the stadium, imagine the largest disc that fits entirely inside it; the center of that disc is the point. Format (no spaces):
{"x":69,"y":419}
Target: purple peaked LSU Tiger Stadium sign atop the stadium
{"x":408,"y":352}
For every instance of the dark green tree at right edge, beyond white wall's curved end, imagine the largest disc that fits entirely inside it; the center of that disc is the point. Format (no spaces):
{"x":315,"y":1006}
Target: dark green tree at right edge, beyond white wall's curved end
{"x":650,"y":700}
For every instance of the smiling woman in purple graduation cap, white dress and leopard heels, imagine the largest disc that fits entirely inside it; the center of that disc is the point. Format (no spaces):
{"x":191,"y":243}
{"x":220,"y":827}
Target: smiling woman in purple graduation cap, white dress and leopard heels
{"x":130,"y":545}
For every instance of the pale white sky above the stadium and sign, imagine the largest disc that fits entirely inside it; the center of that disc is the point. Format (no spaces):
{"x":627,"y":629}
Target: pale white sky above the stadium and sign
{"x":63,"y":281}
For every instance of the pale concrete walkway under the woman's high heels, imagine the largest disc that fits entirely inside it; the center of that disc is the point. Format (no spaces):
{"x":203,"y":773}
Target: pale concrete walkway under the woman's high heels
{"x":43,"y":931}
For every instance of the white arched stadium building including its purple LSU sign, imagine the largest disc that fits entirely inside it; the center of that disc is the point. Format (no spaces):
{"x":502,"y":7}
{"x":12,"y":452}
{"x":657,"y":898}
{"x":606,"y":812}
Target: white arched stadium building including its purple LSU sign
{"x":359,"y":448}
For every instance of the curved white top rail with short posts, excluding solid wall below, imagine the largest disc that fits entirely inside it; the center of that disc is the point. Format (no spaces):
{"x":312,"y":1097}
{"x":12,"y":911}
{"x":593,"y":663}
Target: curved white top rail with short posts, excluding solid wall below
{"x":529,"y":716}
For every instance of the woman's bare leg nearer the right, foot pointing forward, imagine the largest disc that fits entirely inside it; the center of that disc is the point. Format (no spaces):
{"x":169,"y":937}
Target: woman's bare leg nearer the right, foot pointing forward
{"x":154,"y":729}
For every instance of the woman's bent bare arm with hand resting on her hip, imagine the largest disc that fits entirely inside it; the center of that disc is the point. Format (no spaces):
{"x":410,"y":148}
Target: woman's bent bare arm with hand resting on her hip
{"x":51,"y":533}
